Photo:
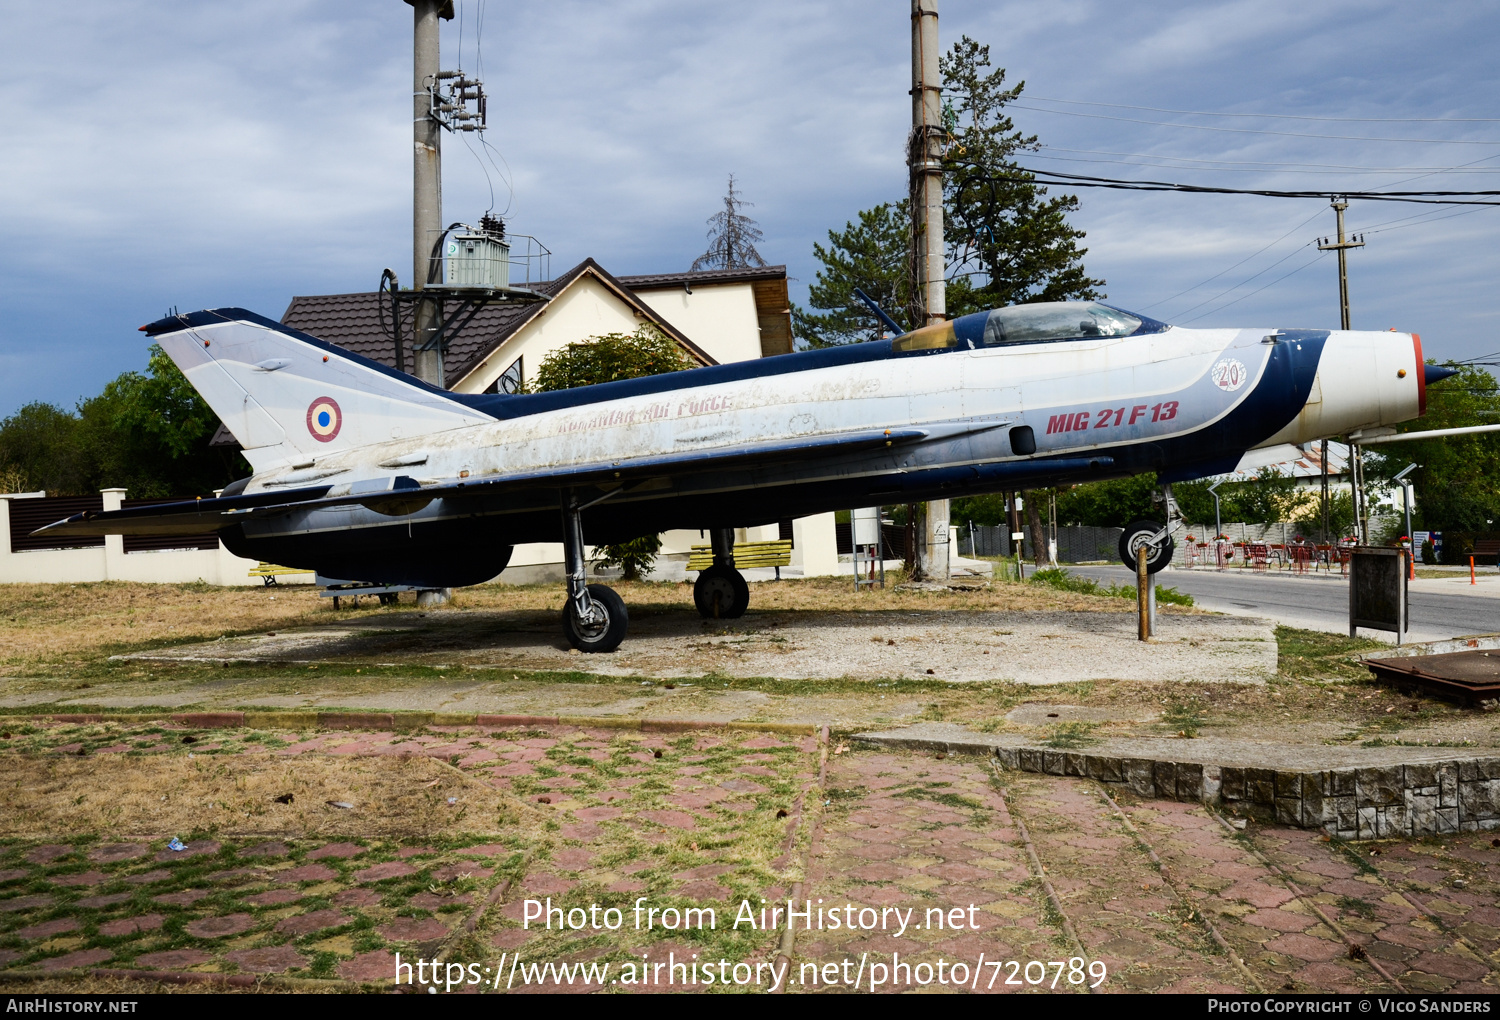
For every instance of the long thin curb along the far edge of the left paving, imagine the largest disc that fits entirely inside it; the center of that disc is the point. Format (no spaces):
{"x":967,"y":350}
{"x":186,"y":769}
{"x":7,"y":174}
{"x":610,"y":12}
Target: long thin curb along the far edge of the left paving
{"x":406,"y":721}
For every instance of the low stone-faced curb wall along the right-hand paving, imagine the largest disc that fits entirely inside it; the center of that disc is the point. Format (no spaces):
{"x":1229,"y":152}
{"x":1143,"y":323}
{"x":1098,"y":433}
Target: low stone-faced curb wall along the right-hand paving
{"x":1352,"y":803}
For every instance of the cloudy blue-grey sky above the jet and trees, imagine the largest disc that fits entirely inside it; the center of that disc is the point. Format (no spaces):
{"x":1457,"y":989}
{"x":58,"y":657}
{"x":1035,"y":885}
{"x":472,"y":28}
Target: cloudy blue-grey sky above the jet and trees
{"x":194,"y":155}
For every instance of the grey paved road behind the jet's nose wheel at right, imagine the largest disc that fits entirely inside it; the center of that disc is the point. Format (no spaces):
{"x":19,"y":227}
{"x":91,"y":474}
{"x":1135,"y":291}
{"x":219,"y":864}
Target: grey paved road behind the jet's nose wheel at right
{"x":1321,"y":602}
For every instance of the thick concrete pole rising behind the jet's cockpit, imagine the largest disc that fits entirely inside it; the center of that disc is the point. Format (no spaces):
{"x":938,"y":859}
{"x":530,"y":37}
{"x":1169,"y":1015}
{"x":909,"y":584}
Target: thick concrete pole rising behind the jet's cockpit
{"x":925,"y":152}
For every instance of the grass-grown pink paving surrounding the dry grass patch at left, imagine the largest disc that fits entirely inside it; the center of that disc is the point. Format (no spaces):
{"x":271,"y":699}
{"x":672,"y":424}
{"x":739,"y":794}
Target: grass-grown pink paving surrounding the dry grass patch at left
{"x":691,"y":820}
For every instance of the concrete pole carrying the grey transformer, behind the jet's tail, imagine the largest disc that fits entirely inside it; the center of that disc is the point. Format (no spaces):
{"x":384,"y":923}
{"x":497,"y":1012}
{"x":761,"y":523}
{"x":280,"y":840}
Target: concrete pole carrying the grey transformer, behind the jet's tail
{"x":427,"y":208}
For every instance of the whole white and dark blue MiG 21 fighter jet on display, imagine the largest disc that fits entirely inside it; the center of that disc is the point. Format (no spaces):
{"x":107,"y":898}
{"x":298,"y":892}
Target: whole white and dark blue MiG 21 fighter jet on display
{"x":370,"y":475}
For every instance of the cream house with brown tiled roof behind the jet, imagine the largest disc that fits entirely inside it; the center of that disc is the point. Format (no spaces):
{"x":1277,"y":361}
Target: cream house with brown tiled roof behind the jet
{"x":716,"y":316}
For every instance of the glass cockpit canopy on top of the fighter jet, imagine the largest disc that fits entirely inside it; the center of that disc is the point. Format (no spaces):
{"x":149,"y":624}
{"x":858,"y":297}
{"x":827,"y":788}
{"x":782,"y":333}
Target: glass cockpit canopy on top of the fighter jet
{"x":1028,"y":325}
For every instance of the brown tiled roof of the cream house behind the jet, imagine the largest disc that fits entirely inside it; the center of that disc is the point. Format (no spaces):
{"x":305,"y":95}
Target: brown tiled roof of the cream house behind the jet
{"x":353,"y":322}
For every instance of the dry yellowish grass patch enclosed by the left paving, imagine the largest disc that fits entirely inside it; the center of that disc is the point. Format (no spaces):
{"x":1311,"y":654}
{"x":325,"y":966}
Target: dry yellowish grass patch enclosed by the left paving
{"x":400,"y":799}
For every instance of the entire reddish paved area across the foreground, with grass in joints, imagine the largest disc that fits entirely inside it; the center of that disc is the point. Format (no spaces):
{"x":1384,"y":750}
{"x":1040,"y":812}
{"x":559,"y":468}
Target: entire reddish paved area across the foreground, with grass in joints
{"x":709,"y":820}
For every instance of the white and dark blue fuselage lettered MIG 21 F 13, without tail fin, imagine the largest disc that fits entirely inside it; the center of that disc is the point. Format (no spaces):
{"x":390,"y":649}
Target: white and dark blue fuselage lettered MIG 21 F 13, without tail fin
{"x":1183,"y":403}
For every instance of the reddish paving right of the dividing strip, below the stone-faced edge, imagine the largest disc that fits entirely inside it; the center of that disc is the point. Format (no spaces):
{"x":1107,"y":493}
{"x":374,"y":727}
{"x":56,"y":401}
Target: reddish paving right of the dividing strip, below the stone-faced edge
{"x":932,"y":832}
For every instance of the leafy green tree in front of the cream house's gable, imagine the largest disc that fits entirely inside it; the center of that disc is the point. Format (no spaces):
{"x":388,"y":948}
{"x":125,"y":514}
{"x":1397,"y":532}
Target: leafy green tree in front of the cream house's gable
{"x":607,"y":359}
